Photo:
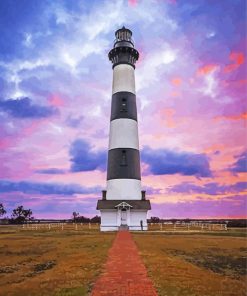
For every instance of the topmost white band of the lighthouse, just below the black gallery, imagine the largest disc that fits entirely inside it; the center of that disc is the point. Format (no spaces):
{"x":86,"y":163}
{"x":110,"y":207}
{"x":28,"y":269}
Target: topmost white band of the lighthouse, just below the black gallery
{"x":123,"y":78}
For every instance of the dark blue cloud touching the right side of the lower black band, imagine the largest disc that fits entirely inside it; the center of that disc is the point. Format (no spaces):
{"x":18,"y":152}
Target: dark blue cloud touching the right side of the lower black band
{"x":167,"y":162}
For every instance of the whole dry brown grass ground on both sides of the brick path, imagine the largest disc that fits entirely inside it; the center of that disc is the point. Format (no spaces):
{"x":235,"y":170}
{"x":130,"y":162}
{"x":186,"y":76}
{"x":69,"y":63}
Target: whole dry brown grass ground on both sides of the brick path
{"x":67,"y":262}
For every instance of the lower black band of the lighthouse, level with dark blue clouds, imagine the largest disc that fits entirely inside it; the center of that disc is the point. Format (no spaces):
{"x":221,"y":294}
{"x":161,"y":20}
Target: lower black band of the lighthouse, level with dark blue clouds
{"x":123,"y":163}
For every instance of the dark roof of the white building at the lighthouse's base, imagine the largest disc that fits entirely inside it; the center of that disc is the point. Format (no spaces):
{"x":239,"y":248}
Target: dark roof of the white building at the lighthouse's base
{"x":134,"y":204}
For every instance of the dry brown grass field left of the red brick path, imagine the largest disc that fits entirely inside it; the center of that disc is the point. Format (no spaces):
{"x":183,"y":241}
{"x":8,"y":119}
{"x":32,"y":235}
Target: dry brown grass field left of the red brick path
{"x":51,"y":262}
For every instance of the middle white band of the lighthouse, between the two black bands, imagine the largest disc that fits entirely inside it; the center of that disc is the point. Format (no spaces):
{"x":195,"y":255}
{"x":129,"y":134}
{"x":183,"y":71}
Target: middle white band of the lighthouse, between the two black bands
{"x":123,"y":134}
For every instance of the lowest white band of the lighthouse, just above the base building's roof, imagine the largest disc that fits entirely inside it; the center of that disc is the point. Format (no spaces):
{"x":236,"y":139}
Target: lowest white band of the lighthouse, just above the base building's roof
{"x":123,"y":189}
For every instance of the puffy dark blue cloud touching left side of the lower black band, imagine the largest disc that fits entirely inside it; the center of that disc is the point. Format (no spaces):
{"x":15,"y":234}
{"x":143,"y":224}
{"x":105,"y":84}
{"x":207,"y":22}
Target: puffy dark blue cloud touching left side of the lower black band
{"x":84,"y":159}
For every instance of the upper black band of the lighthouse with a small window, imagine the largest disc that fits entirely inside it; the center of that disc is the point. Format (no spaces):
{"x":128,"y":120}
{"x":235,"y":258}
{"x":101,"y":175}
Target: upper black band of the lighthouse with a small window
{"x":123,"y":105}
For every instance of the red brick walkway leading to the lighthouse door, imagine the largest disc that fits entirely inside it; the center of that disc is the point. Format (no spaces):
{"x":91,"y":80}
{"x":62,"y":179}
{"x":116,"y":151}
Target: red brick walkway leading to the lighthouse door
{"x":124,"y":272}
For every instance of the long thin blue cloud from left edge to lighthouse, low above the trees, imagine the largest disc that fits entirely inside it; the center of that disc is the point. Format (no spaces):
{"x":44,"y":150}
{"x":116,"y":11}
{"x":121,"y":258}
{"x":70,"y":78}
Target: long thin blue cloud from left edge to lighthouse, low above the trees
{"x":45,"y":188}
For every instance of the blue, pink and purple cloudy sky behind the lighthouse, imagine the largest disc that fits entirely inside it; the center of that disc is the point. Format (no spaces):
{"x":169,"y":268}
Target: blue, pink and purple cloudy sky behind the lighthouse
{"x":55,"y":98}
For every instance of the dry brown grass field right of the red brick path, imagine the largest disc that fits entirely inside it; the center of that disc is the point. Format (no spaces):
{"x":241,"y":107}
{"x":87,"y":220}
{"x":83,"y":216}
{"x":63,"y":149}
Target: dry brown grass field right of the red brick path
{"x":195,"y":264}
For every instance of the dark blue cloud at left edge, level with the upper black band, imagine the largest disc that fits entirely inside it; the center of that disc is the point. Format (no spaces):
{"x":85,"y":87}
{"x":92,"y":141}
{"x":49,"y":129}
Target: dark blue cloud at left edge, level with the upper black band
{"x":24,"y":108}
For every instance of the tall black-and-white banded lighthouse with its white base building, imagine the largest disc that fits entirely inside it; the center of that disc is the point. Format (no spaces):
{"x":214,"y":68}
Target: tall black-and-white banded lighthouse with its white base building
{"x":123,"y":203}
